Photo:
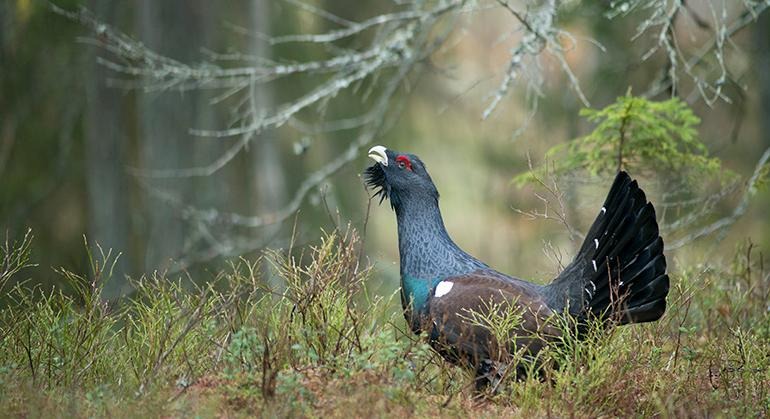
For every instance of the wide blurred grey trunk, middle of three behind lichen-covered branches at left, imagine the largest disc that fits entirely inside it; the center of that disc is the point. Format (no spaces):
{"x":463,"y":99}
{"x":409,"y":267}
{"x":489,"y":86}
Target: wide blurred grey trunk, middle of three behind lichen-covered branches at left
{"x":179,"y":29}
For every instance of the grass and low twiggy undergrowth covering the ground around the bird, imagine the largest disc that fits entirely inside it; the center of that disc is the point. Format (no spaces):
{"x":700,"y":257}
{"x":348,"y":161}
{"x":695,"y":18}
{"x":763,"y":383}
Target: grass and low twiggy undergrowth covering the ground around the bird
{"x":296,"y":333}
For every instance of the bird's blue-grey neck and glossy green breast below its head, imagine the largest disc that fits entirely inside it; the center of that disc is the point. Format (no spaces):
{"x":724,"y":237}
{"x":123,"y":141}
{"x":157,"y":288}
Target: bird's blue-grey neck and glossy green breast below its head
{"x":427,"y":252}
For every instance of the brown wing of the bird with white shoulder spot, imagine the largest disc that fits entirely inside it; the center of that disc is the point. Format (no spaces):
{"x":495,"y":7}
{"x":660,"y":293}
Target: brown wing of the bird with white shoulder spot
{"x":467,"y":321}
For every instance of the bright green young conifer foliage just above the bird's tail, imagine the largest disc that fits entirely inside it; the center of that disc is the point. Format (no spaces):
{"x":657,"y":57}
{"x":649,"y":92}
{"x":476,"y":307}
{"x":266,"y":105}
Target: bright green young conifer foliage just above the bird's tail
{"x":640,"y":136}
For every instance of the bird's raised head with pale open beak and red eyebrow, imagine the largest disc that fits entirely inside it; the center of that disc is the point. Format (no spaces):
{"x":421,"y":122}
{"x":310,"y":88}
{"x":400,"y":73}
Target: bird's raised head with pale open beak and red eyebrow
{"x":399,"y":177}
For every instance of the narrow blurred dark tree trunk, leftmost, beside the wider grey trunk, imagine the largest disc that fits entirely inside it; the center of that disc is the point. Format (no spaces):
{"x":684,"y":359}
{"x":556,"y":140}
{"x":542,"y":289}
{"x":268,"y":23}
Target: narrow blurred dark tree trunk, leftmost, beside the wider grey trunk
{"x":106,"y":139}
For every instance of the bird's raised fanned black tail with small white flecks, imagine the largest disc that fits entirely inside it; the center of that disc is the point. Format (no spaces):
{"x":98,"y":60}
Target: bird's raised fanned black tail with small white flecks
{"x":620,"y":270}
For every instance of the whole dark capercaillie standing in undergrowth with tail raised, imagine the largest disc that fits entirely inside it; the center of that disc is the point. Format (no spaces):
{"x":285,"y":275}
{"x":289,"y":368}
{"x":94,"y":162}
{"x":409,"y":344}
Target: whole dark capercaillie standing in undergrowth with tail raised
{"x":618,"y":275}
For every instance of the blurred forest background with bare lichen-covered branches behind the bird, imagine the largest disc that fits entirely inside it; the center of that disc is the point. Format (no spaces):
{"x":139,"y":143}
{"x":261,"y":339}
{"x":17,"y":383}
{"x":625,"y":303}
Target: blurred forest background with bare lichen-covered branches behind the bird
{"x":184,"y":134}
